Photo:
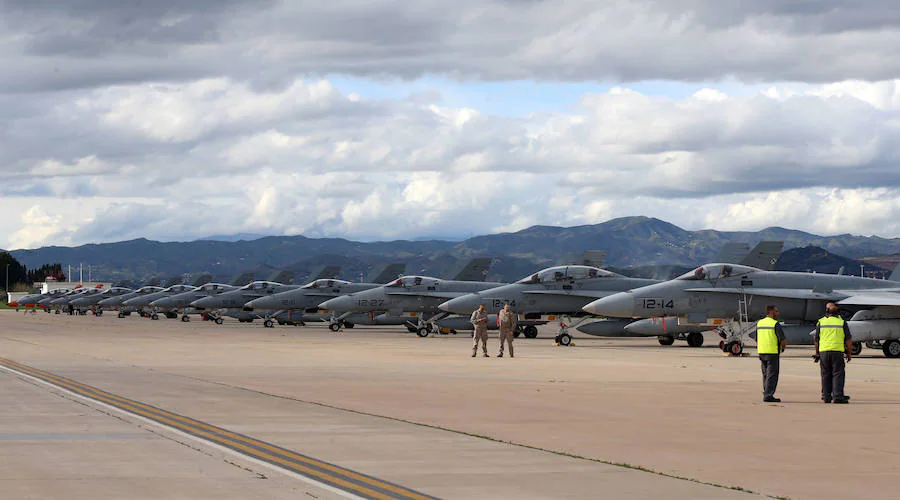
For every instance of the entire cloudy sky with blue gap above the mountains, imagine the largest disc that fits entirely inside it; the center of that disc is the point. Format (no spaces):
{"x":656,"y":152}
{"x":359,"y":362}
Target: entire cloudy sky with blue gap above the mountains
{"x":375,"y":119}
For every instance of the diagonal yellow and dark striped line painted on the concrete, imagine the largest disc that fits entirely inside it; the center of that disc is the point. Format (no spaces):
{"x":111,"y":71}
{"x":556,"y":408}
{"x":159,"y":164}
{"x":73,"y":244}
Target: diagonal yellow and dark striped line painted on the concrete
{"x":329,"y":474}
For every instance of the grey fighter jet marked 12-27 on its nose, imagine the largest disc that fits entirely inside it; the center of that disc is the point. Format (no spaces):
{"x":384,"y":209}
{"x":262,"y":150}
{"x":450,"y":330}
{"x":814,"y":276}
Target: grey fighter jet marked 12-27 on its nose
{"x":421,"y":294}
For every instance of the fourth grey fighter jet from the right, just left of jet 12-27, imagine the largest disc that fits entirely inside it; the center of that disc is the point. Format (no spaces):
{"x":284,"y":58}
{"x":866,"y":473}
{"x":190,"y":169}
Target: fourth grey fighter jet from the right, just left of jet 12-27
{"x":301,"y":304}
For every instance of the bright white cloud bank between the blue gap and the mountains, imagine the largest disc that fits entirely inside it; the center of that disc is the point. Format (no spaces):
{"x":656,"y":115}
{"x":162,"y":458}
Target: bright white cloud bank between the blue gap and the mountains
{"x":215,"y":157}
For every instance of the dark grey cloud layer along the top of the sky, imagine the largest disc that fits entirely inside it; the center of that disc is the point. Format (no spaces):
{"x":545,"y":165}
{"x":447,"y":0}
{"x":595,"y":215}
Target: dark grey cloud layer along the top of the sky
{"x":60,"y":44}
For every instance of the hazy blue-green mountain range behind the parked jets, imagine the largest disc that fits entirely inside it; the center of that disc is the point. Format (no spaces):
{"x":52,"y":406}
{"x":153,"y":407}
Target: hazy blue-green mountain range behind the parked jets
{"x":628,"y":241}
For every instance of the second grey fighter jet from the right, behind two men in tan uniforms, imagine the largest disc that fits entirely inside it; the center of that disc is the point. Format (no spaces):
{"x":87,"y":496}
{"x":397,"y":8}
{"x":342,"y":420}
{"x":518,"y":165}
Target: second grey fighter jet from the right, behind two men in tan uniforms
{"x":561,"y":290}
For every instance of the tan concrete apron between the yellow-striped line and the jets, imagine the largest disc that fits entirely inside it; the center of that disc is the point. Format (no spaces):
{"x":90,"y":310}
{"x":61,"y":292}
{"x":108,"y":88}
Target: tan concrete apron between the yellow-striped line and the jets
{"x":423,"y":414}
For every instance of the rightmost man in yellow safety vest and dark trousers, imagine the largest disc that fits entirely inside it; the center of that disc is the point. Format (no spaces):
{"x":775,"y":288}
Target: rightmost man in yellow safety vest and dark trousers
{"x":833,"y":344}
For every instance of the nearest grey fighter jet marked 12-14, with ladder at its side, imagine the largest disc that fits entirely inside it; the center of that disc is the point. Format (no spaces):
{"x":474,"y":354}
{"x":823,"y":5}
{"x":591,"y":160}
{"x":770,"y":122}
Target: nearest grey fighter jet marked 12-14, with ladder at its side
{"x":731,"y":297}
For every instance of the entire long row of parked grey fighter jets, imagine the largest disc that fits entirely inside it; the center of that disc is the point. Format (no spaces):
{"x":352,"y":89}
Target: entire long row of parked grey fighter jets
{"x":726,"y":297}
